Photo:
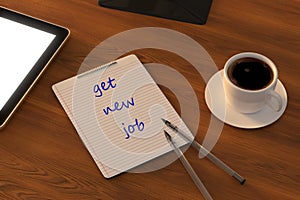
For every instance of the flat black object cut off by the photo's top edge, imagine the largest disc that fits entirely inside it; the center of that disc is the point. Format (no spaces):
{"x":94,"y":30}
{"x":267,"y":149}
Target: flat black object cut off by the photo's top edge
{"x":192,"y":11}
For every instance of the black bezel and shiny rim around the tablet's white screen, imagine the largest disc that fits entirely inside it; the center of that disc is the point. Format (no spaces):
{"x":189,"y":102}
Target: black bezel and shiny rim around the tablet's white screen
{"x":10,"y":108}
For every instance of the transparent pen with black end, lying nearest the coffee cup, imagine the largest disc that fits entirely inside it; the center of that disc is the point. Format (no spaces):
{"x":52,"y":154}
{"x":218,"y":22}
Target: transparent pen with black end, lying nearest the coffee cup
{"x":205,"y":152}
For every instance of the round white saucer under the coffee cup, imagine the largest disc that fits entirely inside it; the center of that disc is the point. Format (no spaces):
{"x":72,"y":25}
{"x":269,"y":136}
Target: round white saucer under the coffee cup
{"x":215,"y":100}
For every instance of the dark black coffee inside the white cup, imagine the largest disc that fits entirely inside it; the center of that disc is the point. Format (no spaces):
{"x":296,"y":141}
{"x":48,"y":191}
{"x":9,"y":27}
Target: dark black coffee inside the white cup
{"x":250,"y":73}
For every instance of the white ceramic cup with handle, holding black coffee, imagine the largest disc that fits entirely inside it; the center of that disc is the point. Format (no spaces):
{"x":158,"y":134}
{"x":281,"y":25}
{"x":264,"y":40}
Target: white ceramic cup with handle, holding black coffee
{"x":245,"y":100}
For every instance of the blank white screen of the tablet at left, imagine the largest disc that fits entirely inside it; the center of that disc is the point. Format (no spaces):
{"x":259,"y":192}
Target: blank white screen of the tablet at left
{"x":21,"y":47}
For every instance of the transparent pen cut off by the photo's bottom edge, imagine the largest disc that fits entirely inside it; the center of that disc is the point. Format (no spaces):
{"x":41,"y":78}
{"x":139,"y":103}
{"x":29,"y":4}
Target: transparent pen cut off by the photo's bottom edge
{"x":189,"y":168}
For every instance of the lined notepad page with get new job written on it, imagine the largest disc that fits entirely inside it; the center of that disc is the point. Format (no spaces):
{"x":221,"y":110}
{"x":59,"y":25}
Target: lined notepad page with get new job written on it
{"x":117,"y":110}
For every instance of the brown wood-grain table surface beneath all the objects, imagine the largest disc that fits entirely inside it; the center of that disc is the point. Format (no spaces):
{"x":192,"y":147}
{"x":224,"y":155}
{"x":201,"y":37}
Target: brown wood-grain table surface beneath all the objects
{"x":42,"y":156}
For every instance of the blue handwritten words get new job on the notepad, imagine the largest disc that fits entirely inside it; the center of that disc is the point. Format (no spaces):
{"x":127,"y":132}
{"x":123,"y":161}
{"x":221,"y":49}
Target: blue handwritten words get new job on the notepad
{"x":118,"y":106}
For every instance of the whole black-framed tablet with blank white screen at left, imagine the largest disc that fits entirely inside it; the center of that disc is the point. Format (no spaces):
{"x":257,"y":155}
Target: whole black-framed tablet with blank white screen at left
{"x":27,"y":45}
